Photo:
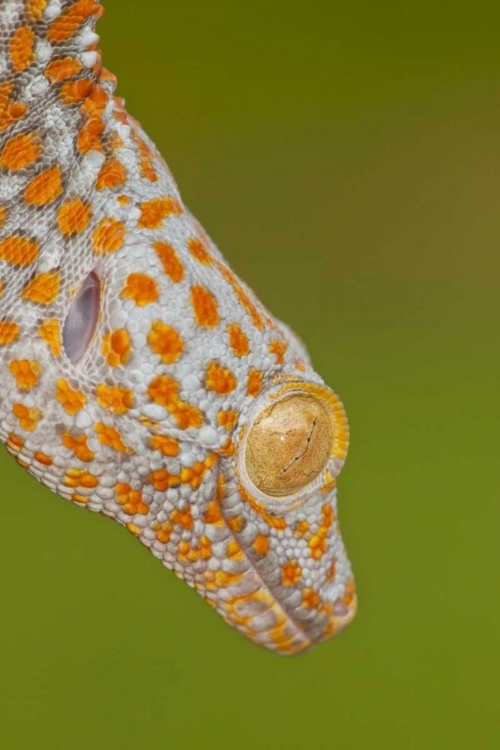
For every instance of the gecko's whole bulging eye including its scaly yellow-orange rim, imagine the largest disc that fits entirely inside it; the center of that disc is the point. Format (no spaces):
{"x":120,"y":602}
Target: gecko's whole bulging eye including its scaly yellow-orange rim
{"x":295,"y":445}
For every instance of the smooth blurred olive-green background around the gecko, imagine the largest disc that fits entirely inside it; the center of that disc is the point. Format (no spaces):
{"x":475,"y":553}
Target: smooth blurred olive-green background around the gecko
{"x":345,"y":158}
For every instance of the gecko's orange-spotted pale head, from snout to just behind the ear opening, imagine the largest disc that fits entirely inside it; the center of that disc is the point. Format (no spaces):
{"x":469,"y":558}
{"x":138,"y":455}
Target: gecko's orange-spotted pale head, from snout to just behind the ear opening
{"x":156,"y":390}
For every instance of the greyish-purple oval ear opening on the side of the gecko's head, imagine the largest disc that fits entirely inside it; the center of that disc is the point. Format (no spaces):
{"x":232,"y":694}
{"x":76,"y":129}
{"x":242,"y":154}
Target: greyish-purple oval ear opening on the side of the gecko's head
{"x":82,"y":317}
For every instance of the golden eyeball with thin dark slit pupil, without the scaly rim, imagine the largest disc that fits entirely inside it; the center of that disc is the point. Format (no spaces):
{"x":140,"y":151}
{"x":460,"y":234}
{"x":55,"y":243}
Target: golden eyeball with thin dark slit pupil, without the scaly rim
{"x":289,"y":445}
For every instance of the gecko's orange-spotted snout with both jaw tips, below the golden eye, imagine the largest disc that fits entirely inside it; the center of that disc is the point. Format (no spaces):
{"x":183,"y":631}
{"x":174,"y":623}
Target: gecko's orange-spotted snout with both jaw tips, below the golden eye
{"x":288,"y":582}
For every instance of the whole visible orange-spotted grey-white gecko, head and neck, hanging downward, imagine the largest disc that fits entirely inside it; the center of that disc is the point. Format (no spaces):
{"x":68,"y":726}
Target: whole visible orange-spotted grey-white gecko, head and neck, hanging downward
{"x":139,"y":377}
